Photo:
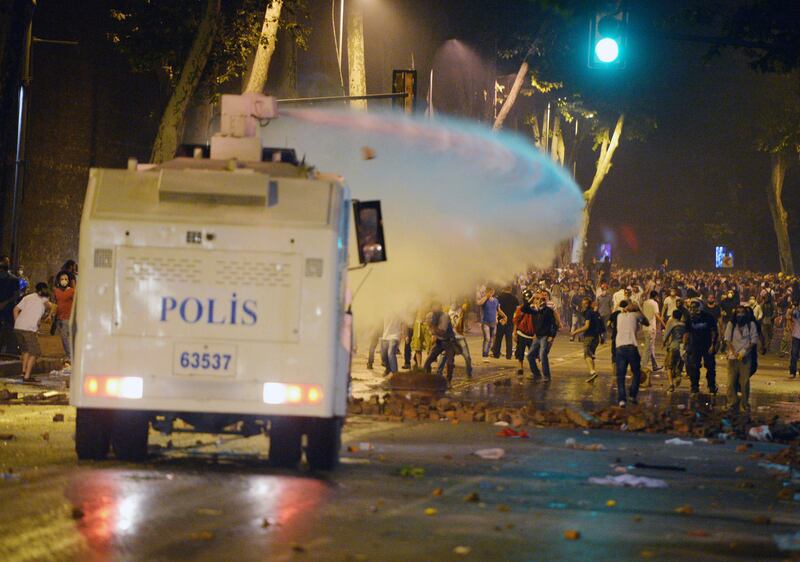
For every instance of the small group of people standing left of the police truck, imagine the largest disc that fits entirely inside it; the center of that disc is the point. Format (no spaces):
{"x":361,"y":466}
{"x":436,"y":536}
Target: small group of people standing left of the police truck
{"x":24,"y":307}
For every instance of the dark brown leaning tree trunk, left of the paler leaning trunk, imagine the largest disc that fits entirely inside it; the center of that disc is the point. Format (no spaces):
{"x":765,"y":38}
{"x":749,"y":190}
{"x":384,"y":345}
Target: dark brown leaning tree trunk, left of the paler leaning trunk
{"x":174,"y":116}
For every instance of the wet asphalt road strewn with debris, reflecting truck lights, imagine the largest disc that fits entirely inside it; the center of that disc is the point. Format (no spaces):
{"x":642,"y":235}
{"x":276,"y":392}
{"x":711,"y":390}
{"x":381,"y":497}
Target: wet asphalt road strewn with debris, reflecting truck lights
{"x":217,"y":500}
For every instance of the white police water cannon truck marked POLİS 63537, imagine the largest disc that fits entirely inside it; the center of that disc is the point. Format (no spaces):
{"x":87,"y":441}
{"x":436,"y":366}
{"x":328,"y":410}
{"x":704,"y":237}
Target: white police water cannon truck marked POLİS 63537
{"x":213,"y":291}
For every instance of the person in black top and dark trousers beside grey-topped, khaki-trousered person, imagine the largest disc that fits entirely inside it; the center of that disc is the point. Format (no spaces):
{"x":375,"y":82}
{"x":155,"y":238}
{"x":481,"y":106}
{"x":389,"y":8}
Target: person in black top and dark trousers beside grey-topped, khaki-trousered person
{"x":701,"y":340}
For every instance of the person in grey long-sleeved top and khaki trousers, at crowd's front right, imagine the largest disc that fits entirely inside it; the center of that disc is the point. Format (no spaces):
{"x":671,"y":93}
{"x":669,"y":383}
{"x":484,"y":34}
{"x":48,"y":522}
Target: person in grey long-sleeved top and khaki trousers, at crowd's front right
{"x":740,"y":337}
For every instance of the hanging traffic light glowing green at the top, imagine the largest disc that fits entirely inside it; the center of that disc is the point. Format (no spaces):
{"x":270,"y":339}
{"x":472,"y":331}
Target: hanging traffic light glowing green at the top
{"x":608,"y":32}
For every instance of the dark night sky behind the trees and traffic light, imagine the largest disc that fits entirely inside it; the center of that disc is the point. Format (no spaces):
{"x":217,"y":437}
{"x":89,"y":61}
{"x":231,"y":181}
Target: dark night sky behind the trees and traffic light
{"x":704,"y":145}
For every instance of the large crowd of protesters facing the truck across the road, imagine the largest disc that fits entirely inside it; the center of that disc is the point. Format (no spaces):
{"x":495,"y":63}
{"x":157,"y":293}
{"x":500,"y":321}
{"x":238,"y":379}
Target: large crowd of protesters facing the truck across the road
{"x":695,"y":317}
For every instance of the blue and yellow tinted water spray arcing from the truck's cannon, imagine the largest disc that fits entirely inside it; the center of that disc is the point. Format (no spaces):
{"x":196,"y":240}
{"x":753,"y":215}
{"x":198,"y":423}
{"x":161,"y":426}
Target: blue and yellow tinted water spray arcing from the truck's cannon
{"x":461,"y":204}
